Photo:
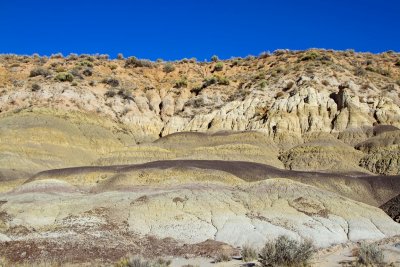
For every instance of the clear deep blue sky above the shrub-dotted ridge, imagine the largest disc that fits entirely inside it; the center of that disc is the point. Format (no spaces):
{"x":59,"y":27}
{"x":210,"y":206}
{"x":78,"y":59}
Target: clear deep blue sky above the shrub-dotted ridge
{"x":176,"y":29}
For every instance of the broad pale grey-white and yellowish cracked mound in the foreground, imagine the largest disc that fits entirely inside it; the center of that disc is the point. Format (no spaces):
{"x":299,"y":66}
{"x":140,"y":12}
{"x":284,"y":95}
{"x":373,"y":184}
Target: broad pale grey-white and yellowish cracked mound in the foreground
{"x":192,"y":213}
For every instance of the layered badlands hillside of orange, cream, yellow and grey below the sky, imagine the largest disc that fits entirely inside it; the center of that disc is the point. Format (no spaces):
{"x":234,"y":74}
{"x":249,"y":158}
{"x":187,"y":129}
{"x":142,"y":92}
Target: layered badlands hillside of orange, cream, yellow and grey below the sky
{"x":104,"y":158}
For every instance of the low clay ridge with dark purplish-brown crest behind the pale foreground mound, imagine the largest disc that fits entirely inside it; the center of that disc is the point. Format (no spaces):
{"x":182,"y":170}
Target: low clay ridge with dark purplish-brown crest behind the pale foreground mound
{"x":373,"y":190}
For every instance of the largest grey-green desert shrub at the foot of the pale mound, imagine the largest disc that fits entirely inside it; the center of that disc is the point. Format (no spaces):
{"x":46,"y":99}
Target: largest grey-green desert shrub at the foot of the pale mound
{"x":286,"y":252}
